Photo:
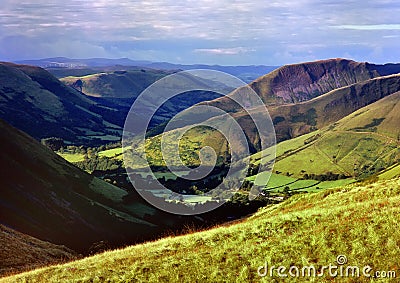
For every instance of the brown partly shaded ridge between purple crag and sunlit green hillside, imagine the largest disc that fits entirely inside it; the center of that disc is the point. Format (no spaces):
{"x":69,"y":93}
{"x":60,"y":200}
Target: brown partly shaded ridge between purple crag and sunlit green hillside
{"x":293,"y":120}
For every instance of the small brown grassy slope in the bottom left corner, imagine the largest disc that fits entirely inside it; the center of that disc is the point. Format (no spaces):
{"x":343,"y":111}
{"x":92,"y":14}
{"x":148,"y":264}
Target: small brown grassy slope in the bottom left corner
{"x":20,"y":252}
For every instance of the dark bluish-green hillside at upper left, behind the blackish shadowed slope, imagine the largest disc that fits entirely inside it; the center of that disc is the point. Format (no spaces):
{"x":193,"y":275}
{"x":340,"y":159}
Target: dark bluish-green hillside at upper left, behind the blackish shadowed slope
{"x":34,"y":101}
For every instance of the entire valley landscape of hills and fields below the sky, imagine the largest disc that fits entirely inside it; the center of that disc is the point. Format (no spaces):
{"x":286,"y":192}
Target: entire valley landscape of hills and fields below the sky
{"x":66,"y":183}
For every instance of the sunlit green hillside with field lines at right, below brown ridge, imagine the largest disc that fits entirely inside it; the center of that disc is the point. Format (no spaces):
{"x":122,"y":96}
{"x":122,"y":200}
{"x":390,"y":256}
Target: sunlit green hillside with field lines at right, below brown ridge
{"x":361,"y":144}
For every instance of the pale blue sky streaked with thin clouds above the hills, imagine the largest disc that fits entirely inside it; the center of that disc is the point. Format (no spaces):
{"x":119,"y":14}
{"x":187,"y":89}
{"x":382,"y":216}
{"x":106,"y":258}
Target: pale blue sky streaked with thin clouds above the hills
{"x":202,"y":31}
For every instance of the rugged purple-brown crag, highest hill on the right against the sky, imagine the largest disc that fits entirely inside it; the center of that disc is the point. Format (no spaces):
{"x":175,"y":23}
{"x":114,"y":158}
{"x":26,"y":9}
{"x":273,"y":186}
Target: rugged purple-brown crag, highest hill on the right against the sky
{"x":304,"y":81}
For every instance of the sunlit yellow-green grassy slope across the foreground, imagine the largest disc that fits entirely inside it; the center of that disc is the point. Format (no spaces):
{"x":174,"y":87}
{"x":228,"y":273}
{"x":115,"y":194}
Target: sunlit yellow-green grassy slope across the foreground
{"x":358,"y":221}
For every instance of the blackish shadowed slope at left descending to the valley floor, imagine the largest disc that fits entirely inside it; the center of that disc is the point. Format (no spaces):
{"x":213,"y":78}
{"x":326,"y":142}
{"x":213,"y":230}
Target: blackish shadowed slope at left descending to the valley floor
{"x":44,"y":196}
